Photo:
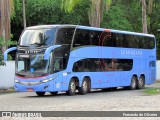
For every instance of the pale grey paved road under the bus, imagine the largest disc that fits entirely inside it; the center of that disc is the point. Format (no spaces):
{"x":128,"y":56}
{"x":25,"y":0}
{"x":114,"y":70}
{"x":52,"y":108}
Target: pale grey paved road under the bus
{"x":121,"y":100}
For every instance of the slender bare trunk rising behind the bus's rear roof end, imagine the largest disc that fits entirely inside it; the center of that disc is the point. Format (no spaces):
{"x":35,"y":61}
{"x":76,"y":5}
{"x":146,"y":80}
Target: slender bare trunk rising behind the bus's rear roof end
{"x":144,"y":17}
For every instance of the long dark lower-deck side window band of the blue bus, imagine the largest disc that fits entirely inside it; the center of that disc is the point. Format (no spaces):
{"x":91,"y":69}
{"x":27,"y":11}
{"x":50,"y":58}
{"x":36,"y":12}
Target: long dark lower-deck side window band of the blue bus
{"x":95,"y":65}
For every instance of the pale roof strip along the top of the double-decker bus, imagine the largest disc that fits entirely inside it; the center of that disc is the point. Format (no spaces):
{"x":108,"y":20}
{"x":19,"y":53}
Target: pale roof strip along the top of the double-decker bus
{"x":88,"y":28}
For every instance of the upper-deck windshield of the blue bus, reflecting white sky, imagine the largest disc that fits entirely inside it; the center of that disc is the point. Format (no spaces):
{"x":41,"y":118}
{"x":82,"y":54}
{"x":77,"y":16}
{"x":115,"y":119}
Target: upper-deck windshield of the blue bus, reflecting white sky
{"x":38,"y":37}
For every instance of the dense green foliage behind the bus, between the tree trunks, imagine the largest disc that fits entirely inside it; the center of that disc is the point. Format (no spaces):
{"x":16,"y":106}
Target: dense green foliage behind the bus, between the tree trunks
{"x":121,"y":14}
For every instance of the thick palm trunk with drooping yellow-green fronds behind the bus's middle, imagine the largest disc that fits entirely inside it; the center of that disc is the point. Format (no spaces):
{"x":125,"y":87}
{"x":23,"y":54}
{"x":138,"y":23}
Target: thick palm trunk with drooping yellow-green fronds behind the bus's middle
{"x":95,"y":12}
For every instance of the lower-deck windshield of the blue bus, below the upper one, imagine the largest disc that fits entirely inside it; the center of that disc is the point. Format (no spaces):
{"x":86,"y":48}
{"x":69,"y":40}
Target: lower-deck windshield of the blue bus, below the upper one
{"x":32,"y":66}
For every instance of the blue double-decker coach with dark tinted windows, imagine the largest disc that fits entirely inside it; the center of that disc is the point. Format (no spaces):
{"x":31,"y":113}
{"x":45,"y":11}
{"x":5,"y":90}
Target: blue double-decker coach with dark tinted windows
{"x":55,"y":58}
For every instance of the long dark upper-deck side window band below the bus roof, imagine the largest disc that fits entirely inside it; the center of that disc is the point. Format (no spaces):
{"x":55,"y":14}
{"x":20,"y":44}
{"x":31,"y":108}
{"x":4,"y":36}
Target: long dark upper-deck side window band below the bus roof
{"x":100,"y":38}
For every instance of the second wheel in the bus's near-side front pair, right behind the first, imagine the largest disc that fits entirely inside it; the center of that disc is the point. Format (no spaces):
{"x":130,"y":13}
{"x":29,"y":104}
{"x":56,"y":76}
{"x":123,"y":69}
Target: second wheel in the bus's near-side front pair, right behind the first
{"x":84,"y":88}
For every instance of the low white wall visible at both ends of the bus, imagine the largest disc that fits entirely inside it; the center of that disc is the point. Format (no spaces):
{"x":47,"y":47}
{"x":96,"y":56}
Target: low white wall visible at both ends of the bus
{"x":7,"y":74}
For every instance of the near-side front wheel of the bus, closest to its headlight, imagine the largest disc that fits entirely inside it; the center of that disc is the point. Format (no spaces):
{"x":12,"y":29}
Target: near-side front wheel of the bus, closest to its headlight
{"x":71,"y":87}
